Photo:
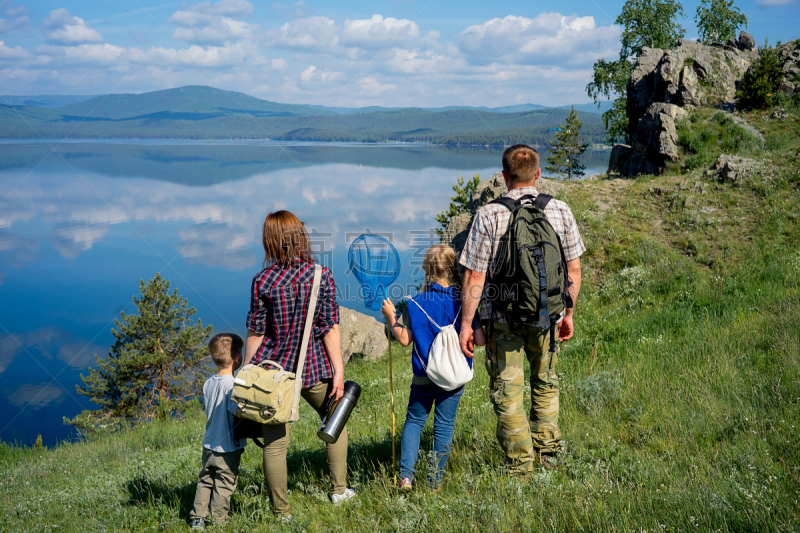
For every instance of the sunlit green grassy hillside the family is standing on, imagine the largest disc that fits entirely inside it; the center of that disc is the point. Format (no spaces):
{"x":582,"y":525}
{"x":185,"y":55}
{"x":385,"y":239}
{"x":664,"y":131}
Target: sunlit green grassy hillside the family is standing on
{"x":680,"y":394}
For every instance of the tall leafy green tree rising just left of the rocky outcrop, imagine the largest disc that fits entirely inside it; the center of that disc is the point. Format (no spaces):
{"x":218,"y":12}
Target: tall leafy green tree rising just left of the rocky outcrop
{"x":651,"y":23}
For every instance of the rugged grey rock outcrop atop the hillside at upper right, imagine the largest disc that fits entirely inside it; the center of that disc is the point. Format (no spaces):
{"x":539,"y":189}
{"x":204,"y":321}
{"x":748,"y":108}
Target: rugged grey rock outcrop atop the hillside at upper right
{"x":665,"y":84}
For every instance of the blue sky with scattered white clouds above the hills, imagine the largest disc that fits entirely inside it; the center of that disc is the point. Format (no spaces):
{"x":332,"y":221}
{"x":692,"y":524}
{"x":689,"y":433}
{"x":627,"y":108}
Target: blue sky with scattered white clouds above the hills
{"x":348,"y":53}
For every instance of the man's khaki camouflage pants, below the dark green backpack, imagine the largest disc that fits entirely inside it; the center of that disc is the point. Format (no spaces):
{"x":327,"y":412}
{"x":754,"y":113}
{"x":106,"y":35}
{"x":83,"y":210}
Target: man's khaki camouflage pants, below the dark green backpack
{"x":523,"y":439}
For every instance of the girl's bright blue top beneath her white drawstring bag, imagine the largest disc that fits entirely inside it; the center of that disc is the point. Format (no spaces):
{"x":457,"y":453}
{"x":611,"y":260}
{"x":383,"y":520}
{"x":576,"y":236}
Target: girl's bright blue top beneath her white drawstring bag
{"x":443,"y":305}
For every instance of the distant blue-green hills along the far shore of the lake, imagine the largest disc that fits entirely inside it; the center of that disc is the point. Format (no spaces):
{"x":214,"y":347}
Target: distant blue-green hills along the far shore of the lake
{"x":197,"y":112}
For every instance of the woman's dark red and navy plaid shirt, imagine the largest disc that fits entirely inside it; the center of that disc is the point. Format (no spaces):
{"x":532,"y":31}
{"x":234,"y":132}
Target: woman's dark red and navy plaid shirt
{"x":278,"y":305}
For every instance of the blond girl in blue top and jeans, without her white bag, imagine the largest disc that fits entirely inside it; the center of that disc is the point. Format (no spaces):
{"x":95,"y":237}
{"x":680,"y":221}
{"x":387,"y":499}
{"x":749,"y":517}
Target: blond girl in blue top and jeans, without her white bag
{"x":441,"y":302}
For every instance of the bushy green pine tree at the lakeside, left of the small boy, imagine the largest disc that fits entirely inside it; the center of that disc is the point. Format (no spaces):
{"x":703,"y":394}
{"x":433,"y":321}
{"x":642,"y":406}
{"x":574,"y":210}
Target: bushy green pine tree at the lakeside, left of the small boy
{"x":158,"y":362}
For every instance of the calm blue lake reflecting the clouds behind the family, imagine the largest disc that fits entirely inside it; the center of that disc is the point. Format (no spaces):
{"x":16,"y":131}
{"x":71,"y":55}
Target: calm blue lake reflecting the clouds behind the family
{"x":82,"y":222}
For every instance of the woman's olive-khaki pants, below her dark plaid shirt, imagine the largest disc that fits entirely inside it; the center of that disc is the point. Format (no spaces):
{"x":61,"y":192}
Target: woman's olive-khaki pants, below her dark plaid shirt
{"x":276,"y":442}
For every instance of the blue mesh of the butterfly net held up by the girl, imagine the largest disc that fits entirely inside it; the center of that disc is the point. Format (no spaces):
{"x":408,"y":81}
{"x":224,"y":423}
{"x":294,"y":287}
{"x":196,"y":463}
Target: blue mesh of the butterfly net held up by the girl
{"x":376,"y":265}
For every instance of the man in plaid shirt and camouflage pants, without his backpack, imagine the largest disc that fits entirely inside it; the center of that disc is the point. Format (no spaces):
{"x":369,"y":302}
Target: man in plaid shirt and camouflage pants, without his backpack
{"x":521,"y":441}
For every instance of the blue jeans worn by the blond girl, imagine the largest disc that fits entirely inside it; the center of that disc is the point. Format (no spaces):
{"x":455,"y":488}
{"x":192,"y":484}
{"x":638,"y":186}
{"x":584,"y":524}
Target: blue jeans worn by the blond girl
{"x":420,"y":401}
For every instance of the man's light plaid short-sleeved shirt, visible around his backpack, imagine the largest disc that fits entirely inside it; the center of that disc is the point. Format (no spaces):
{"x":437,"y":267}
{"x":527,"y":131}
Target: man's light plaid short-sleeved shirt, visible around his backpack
{"x":491,"y":223}
